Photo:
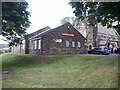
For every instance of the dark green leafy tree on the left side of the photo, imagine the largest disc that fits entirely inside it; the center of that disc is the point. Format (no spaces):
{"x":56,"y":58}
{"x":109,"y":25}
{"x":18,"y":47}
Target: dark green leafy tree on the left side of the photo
{"x":15,"y":21}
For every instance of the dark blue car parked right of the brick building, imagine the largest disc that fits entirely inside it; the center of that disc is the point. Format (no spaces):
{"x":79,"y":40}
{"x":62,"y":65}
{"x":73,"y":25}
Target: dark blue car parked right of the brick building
{"x":103,"y":51}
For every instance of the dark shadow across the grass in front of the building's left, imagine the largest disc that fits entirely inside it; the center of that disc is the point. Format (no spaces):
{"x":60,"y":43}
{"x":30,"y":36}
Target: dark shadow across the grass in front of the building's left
{"x":21,"y":61}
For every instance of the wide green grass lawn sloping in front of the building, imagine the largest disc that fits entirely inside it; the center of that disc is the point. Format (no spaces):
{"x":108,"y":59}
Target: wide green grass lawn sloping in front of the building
{"x":60,"y":71}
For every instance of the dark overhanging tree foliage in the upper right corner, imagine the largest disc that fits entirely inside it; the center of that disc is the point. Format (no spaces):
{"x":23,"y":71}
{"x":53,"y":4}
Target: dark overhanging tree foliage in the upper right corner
{"x":106,"y":13}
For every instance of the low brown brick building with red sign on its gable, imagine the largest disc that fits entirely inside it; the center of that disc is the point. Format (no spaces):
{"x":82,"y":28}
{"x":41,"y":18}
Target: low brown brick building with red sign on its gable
{"x":64,"y":39}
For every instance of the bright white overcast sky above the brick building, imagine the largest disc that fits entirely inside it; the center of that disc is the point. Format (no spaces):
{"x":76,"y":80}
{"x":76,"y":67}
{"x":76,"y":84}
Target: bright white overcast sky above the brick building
{"x":48,"y":13}
